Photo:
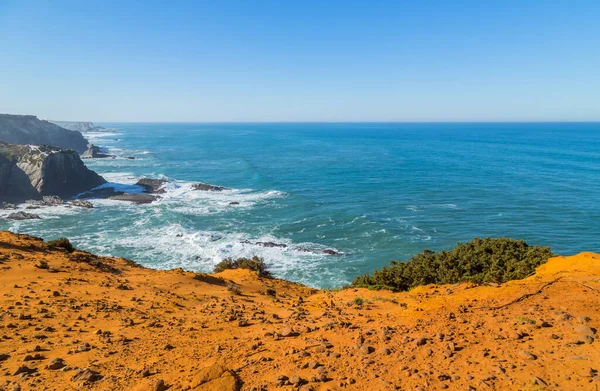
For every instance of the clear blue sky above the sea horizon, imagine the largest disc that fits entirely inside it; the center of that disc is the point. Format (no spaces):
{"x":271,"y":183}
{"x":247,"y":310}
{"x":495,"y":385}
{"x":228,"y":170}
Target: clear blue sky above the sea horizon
{"x":305,"y":60}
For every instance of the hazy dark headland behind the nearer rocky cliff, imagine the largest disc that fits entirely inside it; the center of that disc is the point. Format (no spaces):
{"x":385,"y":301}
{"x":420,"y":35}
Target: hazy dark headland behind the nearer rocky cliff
{"x":28,"y":129}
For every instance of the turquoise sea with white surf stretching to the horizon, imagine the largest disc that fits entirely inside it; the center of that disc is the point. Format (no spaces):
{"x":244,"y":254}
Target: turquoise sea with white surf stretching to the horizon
{"x":373,"y":192}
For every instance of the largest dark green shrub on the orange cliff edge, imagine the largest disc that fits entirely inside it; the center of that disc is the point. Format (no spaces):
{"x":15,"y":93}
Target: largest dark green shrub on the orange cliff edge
{"x":488,"y":260}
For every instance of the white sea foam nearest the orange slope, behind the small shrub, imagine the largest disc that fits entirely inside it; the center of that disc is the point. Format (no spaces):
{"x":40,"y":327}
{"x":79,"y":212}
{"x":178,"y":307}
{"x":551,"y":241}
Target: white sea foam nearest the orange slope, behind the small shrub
{"x":176,"y":246}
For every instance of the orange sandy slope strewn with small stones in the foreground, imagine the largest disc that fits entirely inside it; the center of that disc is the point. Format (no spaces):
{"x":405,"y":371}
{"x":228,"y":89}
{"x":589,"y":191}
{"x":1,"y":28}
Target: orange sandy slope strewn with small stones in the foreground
{"x":120,"y":327}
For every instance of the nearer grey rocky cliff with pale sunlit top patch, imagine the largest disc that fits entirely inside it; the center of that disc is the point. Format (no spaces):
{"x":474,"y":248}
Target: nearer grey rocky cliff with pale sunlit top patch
{"x":30,"y":172}
